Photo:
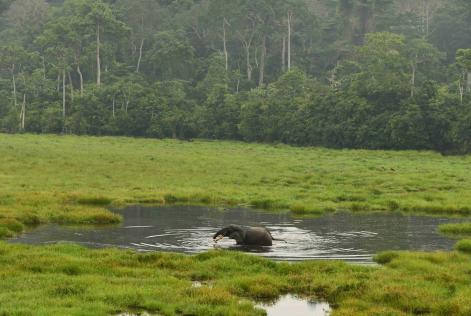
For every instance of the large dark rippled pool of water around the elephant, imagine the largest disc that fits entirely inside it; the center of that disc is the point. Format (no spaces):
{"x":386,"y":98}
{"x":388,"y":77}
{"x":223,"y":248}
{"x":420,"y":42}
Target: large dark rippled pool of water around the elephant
{"x":189,"y":229}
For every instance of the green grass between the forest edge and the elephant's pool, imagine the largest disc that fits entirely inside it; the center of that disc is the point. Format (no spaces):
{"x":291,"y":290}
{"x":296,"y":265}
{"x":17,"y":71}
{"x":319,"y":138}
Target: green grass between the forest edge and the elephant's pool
{"x":71,"y":179}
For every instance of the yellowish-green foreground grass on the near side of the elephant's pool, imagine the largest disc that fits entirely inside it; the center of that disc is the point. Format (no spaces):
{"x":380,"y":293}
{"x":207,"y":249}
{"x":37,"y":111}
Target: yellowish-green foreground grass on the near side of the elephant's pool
{"x":67,"y":279}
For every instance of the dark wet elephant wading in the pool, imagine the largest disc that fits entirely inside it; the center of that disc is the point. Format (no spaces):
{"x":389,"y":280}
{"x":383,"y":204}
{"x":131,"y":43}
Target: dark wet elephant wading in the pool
{"x":250,"y":236}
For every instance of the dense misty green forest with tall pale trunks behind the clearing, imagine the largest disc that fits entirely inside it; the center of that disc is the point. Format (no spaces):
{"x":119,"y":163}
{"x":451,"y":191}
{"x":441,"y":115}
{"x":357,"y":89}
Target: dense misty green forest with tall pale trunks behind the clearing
{"x":375,"y":74}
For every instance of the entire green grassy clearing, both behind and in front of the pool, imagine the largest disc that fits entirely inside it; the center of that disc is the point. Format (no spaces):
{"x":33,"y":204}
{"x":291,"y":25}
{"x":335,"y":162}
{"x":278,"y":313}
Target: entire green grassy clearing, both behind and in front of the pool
{"x":72,"y":180}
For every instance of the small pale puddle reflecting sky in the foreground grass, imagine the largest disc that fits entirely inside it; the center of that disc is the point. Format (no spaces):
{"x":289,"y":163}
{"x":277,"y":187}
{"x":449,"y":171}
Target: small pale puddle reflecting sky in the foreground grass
{"x":291,"y":305}
